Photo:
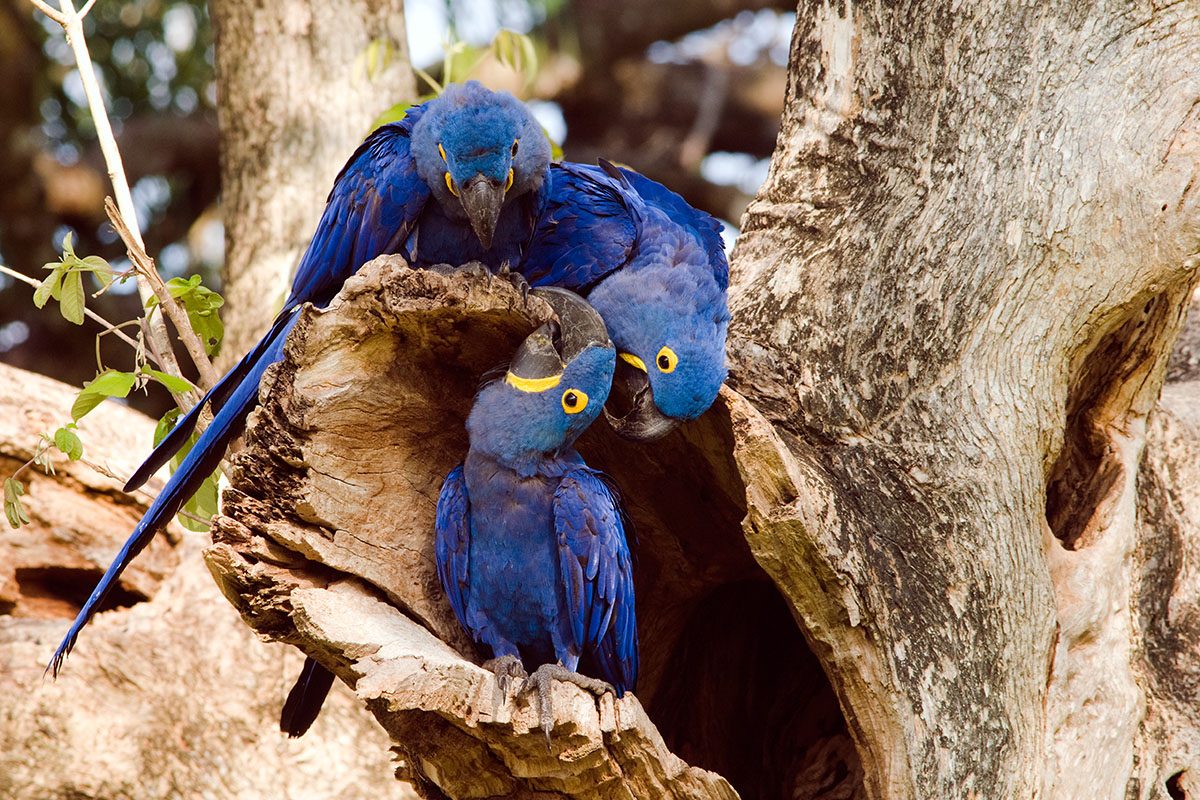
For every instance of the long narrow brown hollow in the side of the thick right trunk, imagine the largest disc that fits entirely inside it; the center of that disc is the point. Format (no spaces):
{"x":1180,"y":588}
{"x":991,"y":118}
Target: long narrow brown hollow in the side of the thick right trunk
{"x":1089,"y":474}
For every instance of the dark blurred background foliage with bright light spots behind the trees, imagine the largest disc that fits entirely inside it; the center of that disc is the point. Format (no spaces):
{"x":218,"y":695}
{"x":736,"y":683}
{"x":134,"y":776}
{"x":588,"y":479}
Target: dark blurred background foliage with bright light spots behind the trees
{"x":688,"y":92}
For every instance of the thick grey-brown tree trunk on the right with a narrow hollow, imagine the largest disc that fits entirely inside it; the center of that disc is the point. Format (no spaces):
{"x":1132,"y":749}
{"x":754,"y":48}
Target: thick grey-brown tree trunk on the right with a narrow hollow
{"x":955,"y":302}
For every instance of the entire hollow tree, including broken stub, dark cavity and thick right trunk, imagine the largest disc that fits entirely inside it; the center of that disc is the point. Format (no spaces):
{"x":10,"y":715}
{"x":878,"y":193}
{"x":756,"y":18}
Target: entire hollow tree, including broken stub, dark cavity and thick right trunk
{"x":955,"y":302}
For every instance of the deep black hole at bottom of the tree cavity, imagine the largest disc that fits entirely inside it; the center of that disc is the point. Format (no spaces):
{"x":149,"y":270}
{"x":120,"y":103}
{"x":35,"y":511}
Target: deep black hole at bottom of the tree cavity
{"x":748,"y":700}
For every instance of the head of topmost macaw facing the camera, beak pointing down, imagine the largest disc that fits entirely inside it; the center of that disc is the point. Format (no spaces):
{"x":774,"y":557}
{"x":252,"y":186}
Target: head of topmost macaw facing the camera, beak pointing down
{"x":479,"y":149}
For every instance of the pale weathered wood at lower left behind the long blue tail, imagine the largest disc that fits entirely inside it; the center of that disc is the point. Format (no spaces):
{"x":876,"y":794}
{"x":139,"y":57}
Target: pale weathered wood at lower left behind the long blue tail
{"x":167,"y":694}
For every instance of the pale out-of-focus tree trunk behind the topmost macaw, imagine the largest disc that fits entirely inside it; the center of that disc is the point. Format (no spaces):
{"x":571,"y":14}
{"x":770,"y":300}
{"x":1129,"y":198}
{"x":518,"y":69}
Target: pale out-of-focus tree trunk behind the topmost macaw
{"x":301,"y":82}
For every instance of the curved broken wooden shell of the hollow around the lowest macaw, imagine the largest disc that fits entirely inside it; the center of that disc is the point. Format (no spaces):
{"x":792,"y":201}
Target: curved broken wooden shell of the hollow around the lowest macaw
{"x":327,"y":543}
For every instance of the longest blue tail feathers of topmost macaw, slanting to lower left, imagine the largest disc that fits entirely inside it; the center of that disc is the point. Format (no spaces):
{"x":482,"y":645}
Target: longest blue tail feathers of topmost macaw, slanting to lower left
{"x":201,"y":461}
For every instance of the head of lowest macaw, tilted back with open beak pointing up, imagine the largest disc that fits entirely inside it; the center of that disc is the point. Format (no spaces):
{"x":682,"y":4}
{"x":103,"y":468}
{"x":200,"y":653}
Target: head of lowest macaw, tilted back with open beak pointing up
{"x":555,"y":387}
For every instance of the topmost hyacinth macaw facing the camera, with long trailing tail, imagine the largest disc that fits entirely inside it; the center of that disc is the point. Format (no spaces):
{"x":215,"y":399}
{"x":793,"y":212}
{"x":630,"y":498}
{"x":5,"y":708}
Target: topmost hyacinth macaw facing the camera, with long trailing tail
{"x":461,"y":178}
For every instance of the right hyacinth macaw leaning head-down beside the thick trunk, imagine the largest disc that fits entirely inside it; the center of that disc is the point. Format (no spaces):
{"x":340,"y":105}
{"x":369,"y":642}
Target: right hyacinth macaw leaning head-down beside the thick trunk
{"x":656,"y":270}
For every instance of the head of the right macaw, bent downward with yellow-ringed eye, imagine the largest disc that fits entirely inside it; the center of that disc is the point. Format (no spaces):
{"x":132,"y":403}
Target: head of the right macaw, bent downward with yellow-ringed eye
{"x":670,"y":324}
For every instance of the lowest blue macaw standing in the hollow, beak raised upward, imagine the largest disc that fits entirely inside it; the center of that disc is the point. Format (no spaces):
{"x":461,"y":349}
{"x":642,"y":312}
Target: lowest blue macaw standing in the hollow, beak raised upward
{"x":530,"y":542}
